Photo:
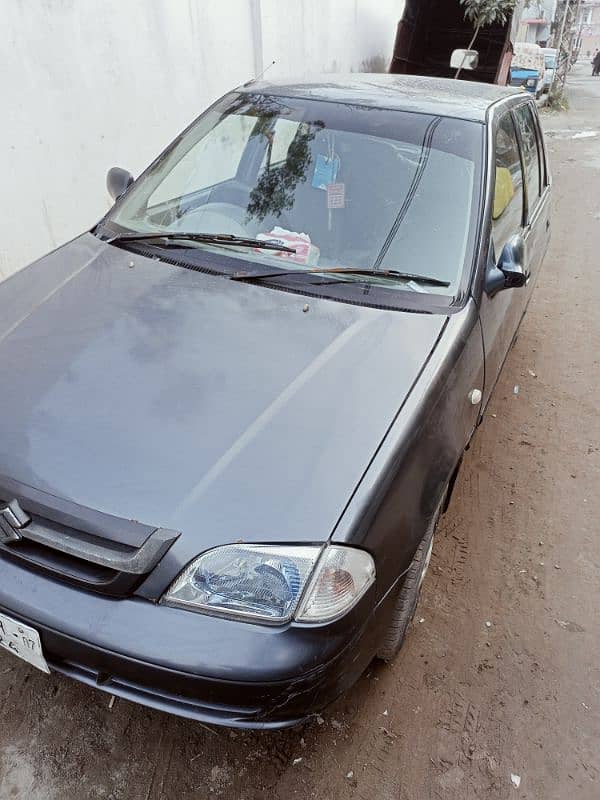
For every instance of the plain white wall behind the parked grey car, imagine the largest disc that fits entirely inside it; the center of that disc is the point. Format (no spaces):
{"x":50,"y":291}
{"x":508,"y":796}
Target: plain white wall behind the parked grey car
{"x":87,"y":84}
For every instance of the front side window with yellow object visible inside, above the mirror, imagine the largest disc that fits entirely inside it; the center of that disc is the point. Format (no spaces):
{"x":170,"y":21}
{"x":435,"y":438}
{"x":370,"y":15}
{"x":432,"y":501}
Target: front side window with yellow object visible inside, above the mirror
{"x":507,"y":212}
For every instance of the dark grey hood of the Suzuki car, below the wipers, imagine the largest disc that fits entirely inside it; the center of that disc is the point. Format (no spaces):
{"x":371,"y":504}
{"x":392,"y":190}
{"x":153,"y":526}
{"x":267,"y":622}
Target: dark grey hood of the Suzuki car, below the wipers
{"x":223,"y":410}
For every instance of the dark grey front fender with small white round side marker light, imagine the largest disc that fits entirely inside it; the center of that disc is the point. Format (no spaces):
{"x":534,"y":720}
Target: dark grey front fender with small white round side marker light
{"x":393,"y":504}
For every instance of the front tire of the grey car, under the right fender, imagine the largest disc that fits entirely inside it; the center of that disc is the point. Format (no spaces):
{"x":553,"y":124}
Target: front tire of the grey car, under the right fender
{"x":408,"y":594}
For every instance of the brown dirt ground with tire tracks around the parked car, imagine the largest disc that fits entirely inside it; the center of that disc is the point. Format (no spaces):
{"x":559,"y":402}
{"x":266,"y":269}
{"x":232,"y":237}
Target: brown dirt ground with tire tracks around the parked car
{"x":501,"y":673}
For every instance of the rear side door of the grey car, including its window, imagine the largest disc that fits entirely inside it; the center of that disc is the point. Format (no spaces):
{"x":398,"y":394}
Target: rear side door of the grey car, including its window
{"x":537,"y":190}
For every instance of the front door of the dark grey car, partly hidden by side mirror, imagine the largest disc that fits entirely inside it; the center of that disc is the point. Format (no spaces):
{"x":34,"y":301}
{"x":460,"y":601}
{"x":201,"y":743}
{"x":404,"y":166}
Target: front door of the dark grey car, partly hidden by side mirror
{"x":501,"y":312}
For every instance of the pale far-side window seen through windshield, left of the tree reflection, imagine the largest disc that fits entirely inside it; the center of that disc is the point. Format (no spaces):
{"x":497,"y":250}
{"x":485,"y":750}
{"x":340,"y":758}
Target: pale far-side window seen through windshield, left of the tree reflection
{"x":214,"y":159}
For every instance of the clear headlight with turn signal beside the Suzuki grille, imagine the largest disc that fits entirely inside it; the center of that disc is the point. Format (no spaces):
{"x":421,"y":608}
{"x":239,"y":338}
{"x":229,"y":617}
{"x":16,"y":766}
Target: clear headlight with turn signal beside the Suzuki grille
{"x":268,"y":583}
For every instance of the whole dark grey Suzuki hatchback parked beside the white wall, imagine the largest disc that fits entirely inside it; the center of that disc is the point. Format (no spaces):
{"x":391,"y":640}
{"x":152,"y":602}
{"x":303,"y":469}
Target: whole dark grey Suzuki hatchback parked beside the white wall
{"x":233,"y":412}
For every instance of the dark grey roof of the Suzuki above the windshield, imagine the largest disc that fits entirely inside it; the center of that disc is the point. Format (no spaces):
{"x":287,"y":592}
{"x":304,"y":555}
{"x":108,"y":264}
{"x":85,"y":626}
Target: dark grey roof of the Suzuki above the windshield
{"x":441,"y":96}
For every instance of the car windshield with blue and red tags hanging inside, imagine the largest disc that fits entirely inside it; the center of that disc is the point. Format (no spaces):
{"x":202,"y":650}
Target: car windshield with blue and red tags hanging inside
{"x":343,"y":185}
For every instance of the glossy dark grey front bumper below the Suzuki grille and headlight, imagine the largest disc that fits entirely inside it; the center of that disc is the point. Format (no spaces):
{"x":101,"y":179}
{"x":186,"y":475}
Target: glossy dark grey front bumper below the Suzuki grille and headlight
{"x":206,"y":668}
